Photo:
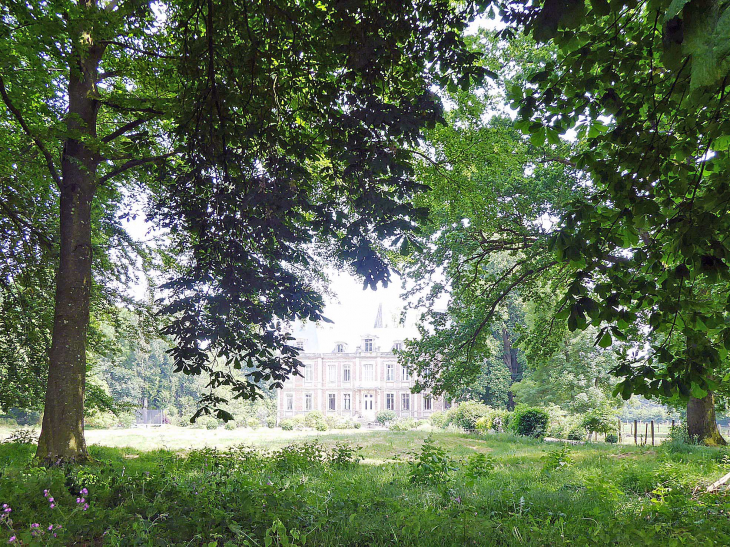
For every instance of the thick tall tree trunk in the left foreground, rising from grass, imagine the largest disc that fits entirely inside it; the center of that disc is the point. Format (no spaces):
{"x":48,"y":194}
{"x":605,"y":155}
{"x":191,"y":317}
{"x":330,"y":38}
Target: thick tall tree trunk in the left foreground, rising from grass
{"x":62,"y":432}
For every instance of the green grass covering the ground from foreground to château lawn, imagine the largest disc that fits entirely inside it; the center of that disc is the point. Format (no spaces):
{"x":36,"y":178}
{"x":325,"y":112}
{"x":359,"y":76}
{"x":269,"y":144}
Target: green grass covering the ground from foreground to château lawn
{"x":608,"y":495}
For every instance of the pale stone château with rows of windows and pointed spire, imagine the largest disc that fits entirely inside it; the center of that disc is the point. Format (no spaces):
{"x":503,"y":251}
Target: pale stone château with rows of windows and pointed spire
{"x":354,"y":379}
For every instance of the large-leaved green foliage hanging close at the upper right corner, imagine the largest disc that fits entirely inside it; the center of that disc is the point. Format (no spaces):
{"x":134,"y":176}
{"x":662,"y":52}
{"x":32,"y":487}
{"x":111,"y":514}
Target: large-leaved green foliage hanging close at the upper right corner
{"x":648,"y":246}
